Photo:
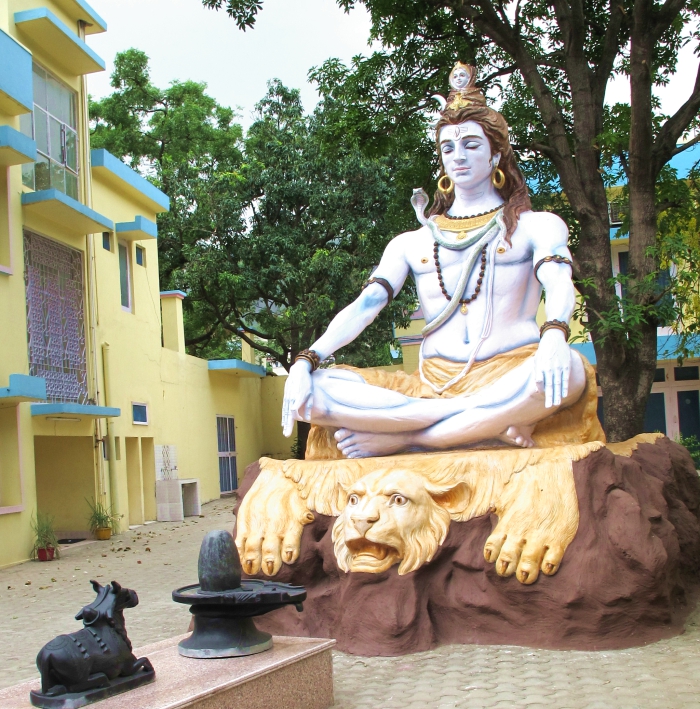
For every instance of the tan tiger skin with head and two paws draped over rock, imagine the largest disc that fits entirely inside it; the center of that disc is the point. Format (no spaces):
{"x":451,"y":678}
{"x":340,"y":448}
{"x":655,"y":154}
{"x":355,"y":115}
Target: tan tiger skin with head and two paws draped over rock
{"x":399,"y":512}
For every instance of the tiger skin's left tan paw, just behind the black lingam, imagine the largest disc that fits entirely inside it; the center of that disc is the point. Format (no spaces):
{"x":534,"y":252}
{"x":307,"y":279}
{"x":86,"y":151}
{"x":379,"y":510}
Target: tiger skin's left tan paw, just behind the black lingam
{"x":270,"y":523}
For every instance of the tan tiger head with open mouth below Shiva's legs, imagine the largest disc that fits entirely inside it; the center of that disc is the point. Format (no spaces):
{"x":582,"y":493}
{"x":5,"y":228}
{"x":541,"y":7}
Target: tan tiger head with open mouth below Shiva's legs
{"x":394,"y":516}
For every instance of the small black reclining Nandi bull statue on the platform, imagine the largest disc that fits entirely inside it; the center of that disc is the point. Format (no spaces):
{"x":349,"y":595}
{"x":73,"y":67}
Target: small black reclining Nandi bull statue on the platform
{"x":95,"y":662}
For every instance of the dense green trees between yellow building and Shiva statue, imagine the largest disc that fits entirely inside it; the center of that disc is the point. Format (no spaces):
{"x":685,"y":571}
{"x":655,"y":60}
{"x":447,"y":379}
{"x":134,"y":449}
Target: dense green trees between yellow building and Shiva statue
{"x":270,"y":234}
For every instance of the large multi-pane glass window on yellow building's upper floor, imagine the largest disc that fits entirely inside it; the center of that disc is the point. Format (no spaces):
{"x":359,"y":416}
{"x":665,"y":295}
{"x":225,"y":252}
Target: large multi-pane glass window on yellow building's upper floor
{"x":52,"y":124}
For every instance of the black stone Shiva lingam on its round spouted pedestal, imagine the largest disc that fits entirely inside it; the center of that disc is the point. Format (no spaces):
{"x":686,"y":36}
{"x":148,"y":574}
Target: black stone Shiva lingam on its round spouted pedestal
{"x":223,"y":607}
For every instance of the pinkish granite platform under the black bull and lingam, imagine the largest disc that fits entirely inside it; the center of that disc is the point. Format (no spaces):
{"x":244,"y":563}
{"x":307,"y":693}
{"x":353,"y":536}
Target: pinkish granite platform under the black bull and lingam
{"x":297,"y":673}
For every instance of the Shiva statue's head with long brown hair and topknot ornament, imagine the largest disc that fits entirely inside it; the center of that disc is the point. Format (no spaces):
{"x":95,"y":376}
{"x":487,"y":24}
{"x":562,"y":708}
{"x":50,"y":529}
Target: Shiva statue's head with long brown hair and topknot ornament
{"x":467,"y":117}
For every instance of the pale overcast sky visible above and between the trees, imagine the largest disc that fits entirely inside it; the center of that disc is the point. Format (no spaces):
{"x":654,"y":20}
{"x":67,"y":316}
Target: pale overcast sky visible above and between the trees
{"x":186,"y":41}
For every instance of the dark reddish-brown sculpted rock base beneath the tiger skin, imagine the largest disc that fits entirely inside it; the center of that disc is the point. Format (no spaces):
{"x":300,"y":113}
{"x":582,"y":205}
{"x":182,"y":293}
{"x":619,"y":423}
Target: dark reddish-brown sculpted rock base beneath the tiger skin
{"x":629,"y":577}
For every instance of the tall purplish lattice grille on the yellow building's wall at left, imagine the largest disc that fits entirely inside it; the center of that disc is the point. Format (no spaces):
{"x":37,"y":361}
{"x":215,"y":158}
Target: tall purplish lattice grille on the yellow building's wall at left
{"x":56,"y":318}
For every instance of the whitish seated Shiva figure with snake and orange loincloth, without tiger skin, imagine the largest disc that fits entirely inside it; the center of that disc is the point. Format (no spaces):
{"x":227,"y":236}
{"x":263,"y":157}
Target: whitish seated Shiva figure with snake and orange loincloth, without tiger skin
{"x":480,"y":261}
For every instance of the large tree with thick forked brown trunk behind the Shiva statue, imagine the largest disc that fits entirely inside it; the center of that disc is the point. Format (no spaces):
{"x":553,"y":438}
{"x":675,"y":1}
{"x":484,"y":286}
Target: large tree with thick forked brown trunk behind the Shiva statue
{"x":550,"y":64}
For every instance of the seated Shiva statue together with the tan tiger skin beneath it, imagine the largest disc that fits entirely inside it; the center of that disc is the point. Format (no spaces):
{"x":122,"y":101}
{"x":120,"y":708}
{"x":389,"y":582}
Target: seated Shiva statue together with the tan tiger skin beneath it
{"x":392,"y":455}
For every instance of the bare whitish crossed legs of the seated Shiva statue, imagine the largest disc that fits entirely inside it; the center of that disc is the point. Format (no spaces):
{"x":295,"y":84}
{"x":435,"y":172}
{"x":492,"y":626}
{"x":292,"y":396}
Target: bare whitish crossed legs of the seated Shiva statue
{"x":373,"y":421}
